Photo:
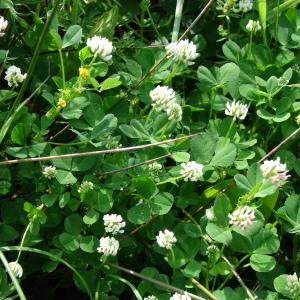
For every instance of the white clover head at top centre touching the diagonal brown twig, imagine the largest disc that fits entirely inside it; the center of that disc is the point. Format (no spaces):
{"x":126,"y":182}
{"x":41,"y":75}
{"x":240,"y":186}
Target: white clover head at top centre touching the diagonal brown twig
{"x":183,"y":51}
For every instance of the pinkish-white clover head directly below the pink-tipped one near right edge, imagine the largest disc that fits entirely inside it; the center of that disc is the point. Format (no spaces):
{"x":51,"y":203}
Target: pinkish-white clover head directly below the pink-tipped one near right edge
{"x":242,"y":217}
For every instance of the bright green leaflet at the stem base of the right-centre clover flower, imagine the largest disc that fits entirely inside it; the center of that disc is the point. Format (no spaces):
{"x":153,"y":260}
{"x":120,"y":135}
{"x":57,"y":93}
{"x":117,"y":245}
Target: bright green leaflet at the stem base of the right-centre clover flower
{"x":225,"y":154}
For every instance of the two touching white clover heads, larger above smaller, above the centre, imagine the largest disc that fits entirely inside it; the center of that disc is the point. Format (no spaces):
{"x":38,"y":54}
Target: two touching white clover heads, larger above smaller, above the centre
{"x":164,"y":99}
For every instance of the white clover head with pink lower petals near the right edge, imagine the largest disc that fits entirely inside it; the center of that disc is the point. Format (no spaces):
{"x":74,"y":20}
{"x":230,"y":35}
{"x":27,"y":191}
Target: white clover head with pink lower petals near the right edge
{"x":274,"y":170}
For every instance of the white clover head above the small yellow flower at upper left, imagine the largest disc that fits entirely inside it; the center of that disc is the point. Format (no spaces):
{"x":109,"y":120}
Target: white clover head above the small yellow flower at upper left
{"x":101,"y":47}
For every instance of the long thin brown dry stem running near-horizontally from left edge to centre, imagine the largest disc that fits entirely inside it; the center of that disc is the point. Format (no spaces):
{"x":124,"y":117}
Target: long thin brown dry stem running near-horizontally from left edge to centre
{"x":93,"y":153}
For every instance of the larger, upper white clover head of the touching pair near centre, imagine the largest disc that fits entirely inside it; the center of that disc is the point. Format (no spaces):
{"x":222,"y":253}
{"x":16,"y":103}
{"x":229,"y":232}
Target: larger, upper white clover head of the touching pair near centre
{"x":162,"y":97}
